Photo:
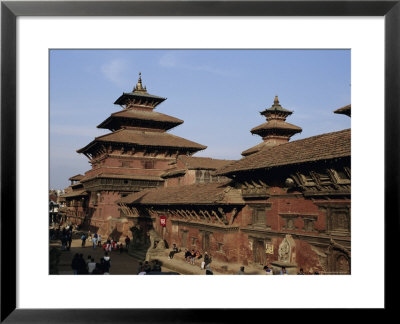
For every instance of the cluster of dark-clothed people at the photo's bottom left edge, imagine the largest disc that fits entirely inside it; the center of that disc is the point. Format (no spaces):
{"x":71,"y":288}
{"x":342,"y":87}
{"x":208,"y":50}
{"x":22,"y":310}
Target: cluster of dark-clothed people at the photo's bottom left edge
{"x":80,"y":266}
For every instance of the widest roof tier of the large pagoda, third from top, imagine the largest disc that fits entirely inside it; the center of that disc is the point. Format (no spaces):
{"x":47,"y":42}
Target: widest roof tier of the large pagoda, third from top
{"x":135,"y":138}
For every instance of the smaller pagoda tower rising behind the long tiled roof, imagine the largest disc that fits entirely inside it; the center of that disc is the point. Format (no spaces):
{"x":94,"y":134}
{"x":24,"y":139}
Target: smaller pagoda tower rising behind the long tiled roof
{"x":276,"y":130}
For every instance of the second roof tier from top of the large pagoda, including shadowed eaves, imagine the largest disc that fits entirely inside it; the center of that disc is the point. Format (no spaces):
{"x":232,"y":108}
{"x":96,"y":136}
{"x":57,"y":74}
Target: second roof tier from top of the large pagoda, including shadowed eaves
{"x":140,"y":118}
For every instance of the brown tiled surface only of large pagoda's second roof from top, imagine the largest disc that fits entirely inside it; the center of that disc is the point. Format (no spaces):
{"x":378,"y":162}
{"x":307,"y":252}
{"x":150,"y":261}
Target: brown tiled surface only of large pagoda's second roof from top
{"x":134,"y":114}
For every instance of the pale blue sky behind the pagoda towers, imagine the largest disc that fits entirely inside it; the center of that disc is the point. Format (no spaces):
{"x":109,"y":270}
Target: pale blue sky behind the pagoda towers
{"x":218,"y":94}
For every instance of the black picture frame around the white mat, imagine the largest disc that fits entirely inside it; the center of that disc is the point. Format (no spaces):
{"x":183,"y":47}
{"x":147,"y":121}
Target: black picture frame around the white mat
{"x":10,"y":10}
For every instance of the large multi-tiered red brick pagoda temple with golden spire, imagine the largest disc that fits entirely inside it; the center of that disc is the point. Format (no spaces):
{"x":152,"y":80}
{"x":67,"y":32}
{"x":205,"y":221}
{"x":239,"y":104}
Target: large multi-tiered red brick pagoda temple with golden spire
{"x":132,"y":157}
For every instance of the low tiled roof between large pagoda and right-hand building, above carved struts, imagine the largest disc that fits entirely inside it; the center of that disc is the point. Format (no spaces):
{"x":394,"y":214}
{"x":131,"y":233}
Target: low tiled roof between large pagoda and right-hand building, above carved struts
{"x":195,"y":194}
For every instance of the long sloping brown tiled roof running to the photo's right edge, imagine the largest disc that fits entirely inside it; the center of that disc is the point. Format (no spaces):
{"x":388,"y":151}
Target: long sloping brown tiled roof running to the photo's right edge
{"x":321,"y":147}
